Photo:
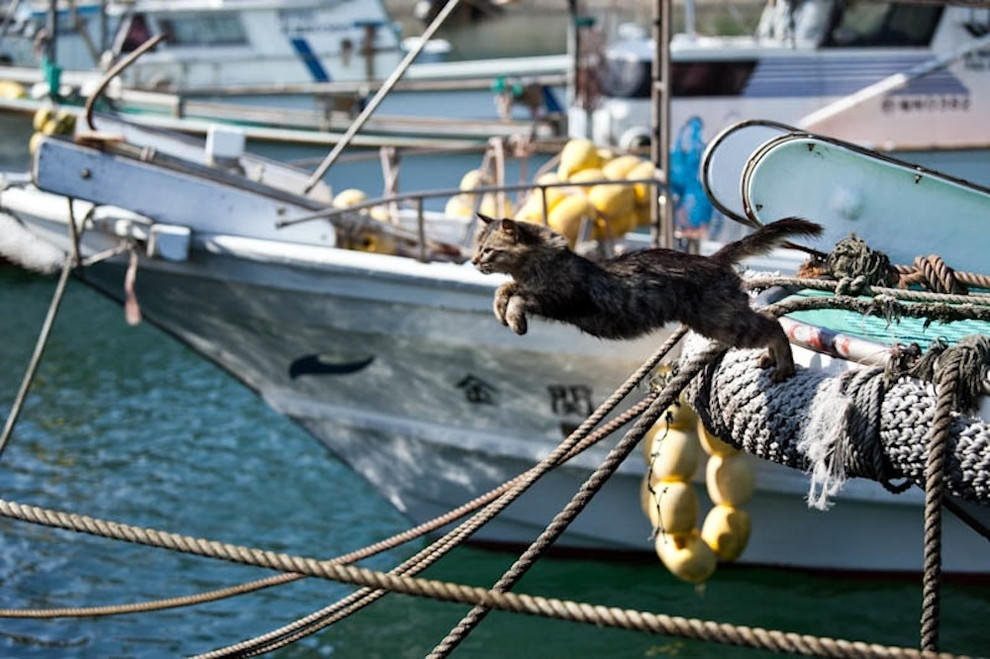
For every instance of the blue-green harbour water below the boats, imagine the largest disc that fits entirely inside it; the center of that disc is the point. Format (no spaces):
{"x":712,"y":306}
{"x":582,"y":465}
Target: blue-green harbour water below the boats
{"x":126,"y":424}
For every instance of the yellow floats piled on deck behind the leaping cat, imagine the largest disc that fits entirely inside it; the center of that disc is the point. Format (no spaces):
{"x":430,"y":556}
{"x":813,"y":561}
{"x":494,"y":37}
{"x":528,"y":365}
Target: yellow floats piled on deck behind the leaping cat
{"x":607,"y":209}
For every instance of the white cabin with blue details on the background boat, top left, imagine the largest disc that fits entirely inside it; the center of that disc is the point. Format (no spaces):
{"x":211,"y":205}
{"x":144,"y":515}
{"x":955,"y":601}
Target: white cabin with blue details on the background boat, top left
{"x":224,"y":43}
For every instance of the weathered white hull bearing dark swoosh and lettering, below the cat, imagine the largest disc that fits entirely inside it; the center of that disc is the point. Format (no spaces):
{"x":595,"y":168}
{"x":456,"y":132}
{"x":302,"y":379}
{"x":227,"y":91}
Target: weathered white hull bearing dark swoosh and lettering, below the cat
{"x":404,"y":423}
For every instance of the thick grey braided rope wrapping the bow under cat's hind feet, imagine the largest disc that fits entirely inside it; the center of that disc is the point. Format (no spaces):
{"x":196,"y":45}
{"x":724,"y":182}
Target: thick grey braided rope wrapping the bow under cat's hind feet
{"x":735,"y":403}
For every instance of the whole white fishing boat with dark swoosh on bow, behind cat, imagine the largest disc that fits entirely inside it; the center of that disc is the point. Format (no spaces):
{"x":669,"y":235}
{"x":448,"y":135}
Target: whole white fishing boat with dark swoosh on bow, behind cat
{"x":394,"y":360}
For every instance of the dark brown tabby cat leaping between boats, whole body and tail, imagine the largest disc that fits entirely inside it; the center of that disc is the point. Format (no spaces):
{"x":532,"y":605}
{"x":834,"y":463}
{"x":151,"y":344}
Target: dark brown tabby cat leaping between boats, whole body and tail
{"x":636,"y":292}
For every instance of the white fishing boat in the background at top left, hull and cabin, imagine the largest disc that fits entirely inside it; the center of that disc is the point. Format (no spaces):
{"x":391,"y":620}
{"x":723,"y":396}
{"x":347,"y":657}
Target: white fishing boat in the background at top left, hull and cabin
{"x":287,"y":73}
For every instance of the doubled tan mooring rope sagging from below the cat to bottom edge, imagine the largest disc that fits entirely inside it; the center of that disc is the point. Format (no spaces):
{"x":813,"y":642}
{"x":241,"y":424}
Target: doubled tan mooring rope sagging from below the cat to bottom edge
{"x":577,"y":441}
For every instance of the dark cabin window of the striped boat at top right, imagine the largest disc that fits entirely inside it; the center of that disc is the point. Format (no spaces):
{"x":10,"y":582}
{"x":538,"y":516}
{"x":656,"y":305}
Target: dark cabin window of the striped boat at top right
{"x":870,"y":24}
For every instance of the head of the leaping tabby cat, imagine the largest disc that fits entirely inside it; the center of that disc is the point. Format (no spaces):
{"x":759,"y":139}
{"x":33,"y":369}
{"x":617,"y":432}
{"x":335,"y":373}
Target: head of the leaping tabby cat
{"x":506,"y":245}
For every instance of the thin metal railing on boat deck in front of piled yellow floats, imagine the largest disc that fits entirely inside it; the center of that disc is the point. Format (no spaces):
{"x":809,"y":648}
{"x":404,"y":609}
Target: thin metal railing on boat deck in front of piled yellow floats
{"x":357,"y":215}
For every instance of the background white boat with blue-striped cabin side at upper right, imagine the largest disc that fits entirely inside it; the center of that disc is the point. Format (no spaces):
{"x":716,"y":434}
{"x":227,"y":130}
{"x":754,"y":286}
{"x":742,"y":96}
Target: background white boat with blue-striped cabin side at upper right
{"x":910,"y":80}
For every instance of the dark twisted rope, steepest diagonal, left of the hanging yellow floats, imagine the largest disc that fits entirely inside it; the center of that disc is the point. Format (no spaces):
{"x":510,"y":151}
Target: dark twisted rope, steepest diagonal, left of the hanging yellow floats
{"x":562,"y":520}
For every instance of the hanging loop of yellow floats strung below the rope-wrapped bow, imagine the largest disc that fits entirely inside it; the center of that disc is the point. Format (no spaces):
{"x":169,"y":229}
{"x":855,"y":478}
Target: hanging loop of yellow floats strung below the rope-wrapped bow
{"x":673,"y":449}
